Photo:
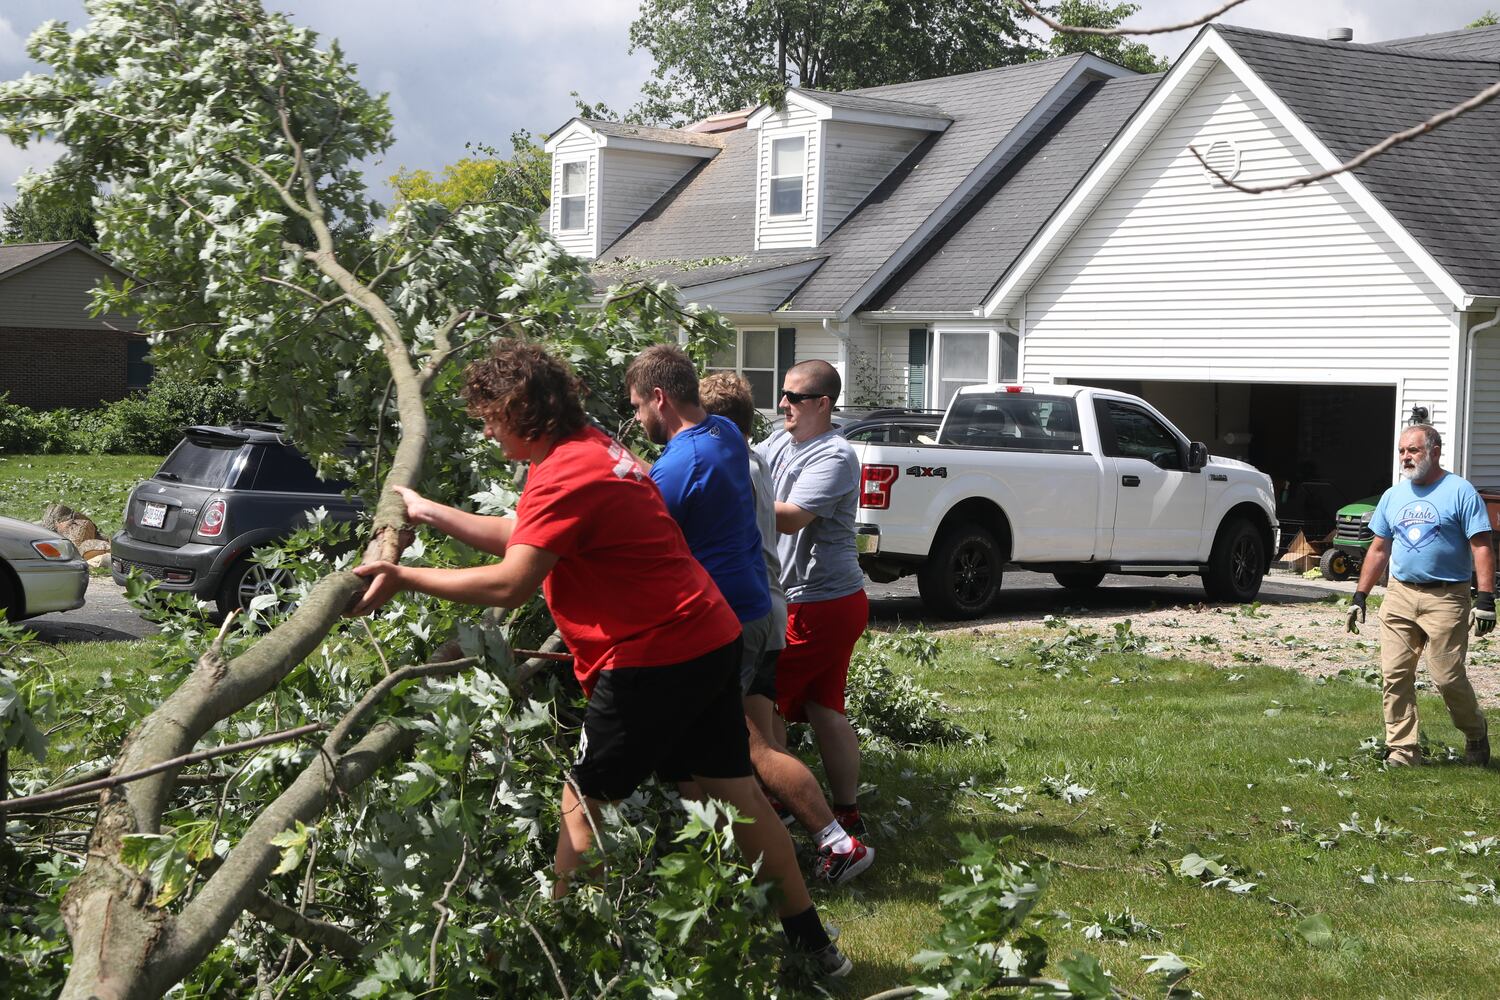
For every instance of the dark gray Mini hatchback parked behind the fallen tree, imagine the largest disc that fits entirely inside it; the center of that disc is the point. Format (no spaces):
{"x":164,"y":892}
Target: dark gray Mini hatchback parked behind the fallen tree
{"x":221,"y":494}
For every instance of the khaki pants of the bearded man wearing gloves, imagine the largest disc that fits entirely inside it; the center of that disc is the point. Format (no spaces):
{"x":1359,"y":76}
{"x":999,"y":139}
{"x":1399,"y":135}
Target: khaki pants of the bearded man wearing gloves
{"x":1433,"y":620}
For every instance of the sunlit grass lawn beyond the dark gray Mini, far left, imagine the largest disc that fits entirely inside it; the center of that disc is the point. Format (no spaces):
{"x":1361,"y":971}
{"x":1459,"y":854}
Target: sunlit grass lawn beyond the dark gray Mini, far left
{"x":95,"y":485}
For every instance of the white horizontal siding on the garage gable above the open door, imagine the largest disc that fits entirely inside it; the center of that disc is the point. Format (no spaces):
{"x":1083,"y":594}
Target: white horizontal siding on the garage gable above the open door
{"x":1174,"y":278}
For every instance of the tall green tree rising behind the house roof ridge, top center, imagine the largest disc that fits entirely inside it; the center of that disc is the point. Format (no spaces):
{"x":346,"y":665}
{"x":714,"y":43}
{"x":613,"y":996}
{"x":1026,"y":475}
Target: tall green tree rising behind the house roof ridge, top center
{"x":715,"y":56}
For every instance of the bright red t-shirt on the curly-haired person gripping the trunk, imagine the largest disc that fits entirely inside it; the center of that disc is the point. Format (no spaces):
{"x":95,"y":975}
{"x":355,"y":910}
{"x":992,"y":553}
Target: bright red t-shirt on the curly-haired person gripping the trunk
{"x":626,"y":591}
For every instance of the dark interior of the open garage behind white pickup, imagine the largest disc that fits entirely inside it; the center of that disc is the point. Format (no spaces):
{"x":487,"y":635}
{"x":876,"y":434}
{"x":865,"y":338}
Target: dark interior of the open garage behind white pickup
{"x":1322,"y":446}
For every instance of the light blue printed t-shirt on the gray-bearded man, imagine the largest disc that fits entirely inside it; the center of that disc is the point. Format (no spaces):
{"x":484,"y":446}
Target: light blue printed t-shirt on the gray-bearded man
{"x":1430,"y":528}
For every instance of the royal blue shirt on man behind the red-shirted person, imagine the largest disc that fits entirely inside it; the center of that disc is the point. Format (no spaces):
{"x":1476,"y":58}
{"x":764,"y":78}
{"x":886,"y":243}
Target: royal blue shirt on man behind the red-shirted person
{"x":704,"y":476}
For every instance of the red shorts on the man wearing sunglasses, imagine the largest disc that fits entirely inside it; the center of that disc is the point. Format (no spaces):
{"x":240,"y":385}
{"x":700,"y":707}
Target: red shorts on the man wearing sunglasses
{"x":815,"y":665}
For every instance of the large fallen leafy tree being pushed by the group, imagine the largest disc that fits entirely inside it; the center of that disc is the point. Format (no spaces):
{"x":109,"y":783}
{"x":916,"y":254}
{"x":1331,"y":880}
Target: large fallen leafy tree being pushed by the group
{"x":236,"y":208}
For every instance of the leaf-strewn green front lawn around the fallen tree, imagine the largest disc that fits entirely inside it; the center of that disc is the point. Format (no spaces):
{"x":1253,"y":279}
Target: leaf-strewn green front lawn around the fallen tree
{"x":1258,"y":767}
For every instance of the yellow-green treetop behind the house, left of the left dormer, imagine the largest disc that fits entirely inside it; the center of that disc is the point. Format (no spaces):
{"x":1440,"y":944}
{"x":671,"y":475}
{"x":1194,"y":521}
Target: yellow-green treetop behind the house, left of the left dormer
{"x":524,"y":181}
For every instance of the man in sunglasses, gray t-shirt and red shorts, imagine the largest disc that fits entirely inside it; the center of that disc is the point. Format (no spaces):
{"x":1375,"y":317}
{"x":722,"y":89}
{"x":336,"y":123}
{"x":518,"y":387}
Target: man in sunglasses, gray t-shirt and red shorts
{"x":817,"y":484}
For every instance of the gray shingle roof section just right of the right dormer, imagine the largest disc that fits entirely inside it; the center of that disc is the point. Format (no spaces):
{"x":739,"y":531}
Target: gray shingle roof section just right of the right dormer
{"x":985,"y":107}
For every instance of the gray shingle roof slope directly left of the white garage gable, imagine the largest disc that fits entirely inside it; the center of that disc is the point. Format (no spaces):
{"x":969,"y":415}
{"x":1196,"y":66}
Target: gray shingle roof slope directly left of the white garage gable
{"x":962,"y":263}
